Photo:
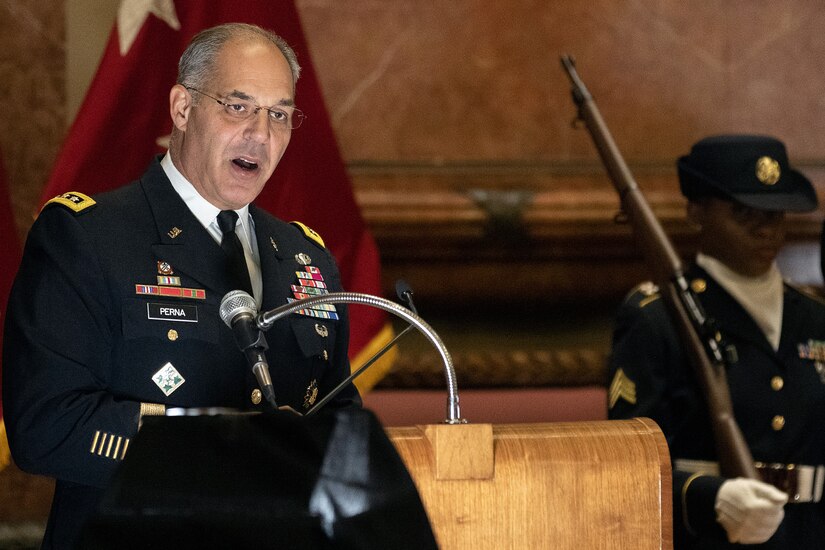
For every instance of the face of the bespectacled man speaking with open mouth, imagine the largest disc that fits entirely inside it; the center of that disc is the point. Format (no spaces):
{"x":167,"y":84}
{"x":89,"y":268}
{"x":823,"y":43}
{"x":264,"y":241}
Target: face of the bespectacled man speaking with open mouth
{"x":229,"y":160}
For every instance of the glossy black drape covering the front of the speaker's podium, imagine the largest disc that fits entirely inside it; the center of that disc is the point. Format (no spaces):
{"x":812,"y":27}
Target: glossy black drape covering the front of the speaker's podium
{"x":264,"y":481}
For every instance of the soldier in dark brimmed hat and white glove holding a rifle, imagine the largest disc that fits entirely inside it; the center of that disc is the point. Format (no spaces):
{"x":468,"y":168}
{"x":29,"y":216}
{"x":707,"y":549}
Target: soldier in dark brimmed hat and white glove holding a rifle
{"x":773,"y":336}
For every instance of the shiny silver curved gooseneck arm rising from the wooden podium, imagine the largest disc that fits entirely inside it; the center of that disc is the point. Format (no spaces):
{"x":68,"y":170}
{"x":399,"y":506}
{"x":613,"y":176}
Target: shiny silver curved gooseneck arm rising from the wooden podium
{"x":266,"y":319}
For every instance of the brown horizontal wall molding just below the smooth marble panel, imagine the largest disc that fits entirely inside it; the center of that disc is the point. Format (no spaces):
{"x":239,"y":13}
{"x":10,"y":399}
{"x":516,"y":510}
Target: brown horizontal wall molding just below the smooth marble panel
{"x":547,"y":230}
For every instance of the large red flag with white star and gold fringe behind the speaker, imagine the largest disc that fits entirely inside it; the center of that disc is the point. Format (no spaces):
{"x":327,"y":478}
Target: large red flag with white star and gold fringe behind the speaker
{"x":124,"y":121}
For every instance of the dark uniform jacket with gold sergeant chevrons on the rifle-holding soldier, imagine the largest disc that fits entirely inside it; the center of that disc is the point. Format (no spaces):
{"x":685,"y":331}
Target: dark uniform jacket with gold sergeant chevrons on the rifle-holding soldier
{"x":778,"y":399}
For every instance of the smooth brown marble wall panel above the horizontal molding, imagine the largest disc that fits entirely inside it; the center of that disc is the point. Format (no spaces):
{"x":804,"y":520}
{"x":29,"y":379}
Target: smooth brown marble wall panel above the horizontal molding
{"x":476,"y":80}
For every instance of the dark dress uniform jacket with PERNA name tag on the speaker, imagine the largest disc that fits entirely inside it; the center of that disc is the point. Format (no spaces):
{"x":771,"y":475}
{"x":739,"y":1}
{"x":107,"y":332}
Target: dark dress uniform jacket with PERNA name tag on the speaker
{"x":108,"y":298}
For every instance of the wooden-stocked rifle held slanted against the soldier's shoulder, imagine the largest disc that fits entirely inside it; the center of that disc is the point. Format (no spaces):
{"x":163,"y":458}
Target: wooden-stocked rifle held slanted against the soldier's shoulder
{"x":695,"y":329}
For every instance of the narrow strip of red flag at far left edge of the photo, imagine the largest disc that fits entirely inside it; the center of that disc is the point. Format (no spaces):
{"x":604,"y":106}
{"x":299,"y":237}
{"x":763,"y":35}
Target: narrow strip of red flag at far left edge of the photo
{"x":10,"y":250}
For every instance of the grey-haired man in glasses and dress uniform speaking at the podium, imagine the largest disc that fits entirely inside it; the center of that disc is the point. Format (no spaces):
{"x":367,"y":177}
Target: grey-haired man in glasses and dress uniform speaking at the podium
{"x":114,"y":312}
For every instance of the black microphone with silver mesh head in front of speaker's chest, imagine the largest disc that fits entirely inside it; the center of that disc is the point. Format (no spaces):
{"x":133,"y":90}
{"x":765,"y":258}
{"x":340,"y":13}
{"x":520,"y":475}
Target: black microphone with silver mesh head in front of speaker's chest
{"x":239,"y":312}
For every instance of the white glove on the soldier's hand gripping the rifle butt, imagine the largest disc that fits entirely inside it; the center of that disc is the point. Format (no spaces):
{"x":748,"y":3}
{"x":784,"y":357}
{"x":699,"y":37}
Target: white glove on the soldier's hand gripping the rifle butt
{"x":749,"y":510}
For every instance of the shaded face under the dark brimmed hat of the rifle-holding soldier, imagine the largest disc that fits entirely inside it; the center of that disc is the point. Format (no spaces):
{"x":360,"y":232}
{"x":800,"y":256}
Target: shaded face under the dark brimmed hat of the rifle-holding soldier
{"x":744,"y":239}
